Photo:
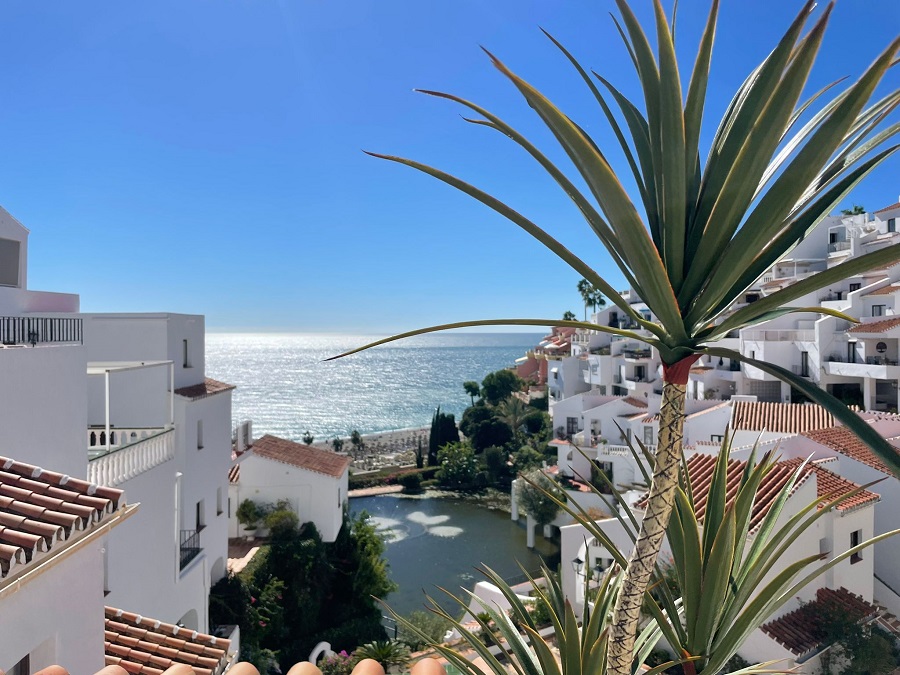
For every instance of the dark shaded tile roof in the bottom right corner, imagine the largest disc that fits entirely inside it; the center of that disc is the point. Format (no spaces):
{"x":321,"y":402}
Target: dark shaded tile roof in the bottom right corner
{"x":801,"y":631}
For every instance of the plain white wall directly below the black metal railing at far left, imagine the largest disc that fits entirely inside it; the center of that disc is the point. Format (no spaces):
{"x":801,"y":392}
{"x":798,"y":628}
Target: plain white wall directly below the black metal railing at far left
{"x":42,"y":407}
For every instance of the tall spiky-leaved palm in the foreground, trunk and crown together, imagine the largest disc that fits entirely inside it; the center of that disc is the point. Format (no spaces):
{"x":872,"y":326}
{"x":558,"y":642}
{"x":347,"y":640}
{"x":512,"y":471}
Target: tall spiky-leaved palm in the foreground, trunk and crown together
{"x":705,"y":231}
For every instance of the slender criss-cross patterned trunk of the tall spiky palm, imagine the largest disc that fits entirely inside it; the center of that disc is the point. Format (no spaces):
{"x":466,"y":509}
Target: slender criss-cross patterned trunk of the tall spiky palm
{"x":653,"y":526}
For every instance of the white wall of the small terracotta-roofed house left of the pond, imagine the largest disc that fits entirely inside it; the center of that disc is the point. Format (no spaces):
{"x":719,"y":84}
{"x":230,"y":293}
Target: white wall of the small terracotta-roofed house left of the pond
{"x":315,"y":497}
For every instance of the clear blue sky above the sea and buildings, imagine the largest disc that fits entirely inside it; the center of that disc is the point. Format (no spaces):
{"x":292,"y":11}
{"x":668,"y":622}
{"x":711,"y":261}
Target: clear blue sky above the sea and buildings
{"x":205,"y":156}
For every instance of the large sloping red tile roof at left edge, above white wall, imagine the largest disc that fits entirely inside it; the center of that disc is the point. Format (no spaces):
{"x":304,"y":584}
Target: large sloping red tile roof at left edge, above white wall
{"x":40,"y":509}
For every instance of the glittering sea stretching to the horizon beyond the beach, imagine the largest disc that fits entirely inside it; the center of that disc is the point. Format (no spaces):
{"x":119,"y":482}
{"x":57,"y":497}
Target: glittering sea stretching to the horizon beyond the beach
{"x":285,"y":386}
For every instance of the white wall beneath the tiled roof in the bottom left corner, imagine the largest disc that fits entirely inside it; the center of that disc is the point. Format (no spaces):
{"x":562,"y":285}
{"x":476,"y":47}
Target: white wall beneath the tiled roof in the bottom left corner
{"x":57,"y":617}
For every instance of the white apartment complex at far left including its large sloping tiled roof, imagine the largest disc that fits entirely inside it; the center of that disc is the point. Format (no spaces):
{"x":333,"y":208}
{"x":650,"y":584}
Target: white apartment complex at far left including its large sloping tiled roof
{"x":113,"y":400}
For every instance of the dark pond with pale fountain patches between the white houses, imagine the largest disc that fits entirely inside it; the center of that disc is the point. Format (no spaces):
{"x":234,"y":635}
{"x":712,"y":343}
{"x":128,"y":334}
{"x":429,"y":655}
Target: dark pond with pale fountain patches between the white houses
{"x":437,"y":541}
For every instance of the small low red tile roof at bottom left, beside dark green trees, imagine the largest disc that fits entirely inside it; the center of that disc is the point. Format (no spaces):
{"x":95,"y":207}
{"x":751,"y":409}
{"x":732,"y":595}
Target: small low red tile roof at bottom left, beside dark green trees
{"x":141,"y":645}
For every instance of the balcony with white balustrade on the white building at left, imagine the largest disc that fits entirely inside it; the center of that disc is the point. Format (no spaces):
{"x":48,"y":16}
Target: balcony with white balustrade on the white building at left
{"x":138,"y":450}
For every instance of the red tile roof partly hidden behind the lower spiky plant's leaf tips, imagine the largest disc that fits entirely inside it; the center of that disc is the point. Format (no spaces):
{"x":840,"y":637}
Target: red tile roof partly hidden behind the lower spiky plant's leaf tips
{"x":828,"y":485}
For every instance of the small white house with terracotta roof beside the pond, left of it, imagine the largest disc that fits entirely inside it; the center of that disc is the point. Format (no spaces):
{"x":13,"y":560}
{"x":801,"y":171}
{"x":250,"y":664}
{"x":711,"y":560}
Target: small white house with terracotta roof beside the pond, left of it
{"x":313,"y":481}
